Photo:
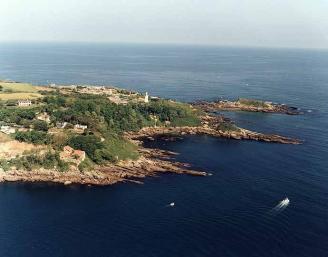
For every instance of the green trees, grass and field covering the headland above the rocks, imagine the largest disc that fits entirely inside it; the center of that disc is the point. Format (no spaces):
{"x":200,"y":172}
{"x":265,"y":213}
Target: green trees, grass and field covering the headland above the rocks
{"x":102,"y":141}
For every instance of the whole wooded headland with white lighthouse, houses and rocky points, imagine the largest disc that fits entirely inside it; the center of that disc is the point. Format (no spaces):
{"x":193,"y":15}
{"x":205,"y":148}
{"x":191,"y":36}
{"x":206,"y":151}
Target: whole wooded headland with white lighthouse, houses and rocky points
{"x":94,"y":135}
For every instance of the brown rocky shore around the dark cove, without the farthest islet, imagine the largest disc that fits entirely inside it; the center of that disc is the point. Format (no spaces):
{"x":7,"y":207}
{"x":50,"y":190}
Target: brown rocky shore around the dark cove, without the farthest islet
{"x":152,"y":161}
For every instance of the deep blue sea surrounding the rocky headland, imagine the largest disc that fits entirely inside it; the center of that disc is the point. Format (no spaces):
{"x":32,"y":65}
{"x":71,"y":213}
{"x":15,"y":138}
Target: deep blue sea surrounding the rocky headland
{"x":227,"y":214}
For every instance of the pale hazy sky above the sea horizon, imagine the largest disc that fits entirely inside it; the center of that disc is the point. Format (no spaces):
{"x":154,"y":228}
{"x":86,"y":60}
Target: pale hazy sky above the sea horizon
{"x":280,"y":23}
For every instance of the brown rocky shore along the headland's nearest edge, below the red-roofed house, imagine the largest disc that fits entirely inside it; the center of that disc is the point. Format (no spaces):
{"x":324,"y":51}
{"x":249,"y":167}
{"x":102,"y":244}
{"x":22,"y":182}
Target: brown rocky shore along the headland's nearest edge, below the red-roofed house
{"x":151,"y":163}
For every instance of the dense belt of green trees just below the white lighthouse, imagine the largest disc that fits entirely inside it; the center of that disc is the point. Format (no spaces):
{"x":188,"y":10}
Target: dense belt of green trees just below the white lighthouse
{"x":94,"y":111}
